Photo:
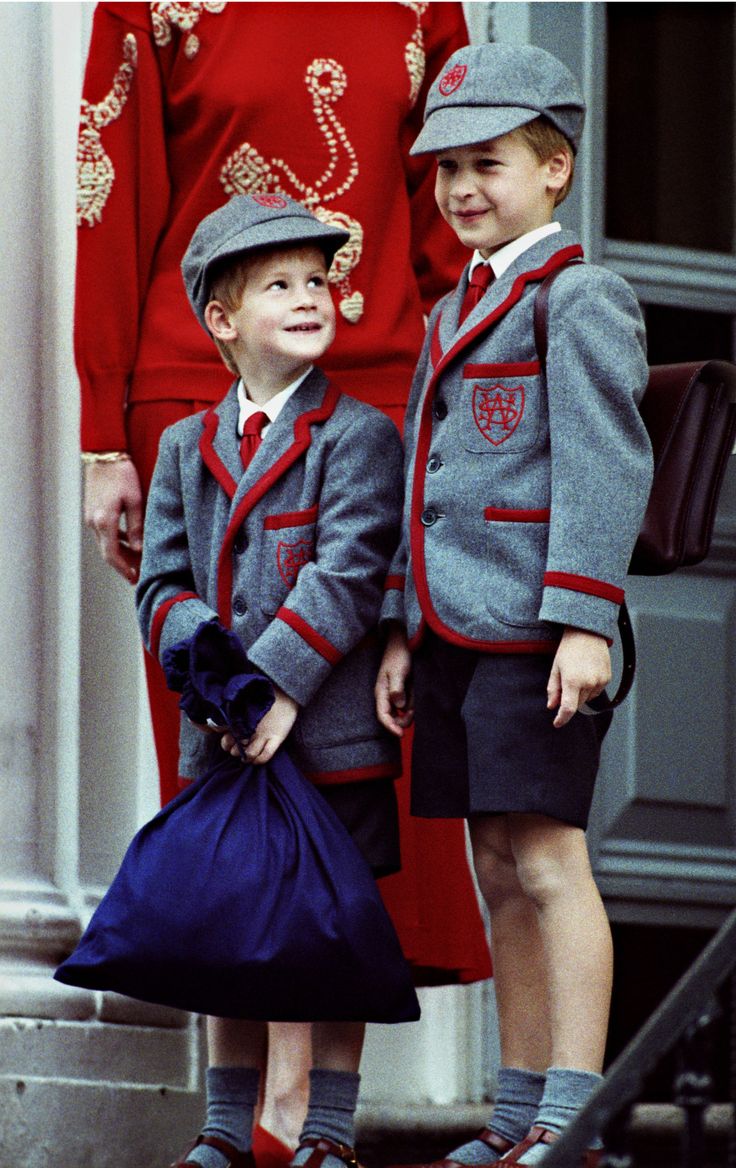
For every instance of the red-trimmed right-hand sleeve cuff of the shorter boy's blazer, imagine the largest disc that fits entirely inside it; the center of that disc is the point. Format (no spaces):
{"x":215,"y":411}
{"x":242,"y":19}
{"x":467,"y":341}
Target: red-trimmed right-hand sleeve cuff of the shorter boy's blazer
{"x":294,"y":656}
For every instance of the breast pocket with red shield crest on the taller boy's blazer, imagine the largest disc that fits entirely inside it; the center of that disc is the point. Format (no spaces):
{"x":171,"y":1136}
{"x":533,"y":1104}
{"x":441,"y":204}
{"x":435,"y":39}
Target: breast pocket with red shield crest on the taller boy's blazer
{"x":502,"y":407}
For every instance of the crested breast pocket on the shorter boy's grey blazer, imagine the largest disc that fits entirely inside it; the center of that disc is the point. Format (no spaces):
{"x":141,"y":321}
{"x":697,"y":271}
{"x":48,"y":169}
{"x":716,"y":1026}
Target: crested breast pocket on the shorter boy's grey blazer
{"x":289,"y":540}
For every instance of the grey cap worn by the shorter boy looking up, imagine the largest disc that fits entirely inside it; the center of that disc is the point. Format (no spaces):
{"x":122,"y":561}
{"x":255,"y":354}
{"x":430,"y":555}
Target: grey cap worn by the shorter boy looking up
{"x":251,"y":224}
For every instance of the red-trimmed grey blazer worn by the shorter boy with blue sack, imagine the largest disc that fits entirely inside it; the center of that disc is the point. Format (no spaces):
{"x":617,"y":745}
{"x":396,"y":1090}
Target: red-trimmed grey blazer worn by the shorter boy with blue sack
{"x":291,"y":554}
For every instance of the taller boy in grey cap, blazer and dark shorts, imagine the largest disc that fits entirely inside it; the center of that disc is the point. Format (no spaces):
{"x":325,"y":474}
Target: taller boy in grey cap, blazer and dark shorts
{"x":525,"y":493}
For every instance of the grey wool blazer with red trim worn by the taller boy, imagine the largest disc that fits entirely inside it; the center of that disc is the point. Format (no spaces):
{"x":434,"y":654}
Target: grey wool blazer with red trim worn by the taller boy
{"x":525,"y":495}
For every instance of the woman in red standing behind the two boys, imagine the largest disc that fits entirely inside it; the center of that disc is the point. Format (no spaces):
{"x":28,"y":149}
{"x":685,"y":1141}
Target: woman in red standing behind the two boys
{"x":185,"y":106}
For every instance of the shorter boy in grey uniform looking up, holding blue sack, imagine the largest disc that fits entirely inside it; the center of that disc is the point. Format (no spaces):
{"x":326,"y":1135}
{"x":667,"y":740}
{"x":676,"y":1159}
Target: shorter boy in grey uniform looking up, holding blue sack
{"x":277,"y":512}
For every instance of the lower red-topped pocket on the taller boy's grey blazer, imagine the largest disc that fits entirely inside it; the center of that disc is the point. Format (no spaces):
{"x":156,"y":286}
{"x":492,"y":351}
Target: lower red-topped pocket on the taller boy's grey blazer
{"x":517,"y":543}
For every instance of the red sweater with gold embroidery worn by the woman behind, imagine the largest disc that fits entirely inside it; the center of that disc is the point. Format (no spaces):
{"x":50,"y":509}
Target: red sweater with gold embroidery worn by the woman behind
{"x":188,"y":105}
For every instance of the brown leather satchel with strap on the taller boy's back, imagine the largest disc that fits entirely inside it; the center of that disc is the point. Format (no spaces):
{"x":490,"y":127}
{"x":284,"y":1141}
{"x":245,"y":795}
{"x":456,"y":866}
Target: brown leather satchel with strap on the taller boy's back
{"x":690,"y":413}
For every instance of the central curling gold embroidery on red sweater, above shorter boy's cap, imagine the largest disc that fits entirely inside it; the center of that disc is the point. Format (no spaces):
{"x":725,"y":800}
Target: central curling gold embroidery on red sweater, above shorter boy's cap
{"x":246,"y":172}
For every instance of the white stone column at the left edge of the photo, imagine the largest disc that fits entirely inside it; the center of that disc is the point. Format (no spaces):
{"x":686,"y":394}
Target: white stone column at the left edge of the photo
{"x":39,"y":538}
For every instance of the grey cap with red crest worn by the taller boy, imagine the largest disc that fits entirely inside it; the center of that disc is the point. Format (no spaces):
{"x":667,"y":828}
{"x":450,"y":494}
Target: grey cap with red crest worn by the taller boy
{"x":488,"y":91}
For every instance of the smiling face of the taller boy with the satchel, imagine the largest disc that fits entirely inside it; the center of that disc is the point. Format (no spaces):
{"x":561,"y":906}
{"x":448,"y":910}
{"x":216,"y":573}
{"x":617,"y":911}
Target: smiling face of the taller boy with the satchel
{"x":497,"y":191}
